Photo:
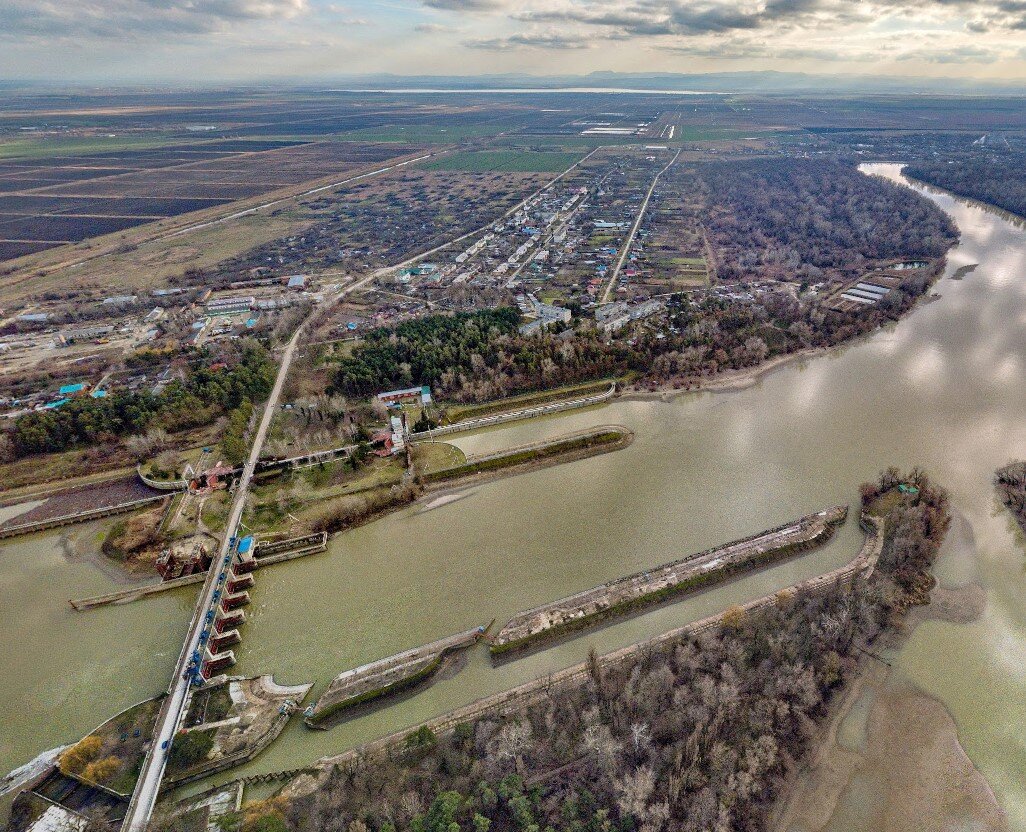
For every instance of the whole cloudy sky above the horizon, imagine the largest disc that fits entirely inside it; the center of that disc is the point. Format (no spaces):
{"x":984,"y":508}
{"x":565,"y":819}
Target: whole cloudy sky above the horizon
{"x":222,"y":42}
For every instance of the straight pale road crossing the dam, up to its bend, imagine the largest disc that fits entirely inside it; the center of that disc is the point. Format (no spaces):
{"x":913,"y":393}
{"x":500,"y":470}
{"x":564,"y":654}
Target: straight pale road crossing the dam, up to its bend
{"x":148,"y":786}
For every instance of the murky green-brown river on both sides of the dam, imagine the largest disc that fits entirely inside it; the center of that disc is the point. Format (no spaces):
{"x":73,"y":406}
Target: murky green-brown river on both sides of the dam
{"x":943,"y":389}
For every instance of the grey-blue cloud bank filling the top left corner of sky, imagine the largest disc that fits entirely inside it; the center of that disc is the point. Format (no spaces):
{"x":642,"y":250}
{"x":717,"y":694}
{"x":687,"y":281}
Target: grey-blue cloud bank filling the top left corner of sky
{"x":114,"y":19}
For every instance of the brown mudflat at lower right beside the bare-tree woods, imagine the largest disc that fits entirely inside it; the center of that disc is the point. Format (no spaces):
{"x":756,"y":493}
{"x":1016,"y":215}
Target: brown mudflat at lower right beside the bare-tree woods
{"x":890,"y":739}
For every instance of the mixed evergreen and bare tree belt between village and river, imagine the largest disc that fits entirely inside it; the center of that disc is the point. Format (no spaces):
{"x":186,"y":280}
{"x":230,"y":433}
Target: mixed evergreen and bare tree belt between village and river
{"x":480,"y":356}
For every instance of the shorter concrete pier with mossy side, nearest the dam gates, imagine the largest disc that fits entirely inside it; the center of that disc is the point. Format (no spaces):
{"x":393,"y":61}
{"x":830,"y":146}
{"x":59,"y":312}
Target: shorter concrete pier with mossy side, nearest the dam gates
{"x":387,"y":676}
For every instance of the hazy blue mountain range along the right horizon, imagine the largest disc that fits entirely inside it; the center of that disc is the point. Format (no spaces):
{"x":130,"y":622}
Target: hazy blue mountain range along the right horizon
{"x":768,"y":83}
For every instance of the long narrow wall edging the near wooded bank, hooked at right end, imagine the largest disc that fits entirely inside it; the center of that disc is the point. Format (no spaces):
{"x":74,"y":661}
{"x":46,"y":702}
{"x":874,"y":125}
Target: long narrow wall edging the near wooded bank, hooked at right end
{"x":515,"y":701}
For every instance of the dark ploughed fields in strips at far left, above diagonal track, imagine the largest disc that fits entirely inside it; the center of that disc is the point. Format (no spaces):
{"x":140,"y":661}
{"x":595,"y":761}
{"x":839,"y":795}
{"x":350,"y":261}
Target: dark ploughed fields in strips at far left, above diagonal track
{"x":71,"y":199}
